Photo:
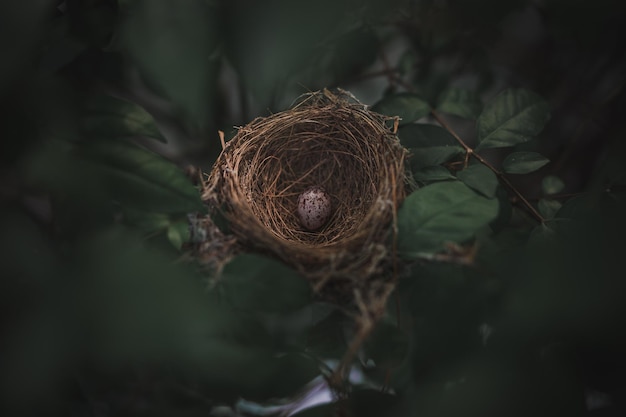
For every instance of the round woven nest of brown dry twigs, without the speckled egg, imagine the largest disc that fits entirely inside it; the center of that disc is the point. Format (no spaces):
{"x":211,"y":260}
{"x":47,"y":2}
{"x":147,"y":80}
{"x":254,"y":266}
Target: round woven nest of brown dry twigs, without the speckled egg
{"x":327,"y":140}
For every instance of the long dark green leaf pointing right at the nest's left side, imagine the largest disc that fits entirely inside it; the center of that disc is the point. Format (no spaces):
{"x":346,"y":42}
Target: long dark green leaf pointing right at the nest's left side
{"x":137,"y":177}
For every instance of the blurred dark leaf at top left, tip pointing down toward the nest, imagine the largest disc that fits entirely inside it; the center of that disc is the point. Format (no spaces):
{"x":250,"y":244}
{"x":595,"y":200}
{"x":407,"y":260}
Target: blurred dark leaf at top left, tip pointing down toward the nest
{"x":172,"y":43}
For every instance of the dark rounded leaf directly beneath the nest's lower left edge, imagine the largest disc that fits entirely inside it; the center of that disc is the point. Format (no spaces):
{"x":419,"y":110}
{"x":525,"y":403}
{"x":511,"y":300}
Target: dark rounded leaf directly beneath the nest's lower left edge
{"x":257,"y":283}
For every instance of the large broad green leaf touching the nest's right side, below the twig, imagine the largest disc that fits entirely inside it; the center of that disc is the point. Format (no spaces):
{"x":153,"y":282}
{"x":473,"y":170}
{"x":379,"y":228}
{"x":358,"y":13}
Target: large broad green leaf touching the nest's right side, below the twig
{"x":440,"y":213}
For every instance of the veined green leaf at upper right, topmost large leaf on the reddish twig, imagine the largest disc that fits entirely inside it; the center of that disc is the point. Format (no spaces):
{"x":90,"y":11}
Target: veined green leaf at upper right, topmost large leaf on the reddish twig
{"x":513,"y":116}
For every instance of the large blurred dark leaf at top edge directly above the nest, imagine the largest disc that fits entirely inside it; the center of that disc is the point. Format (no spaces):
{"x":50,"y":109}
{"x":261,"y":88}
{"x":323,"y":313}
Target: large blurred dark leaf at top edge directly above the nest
{"x":298,"y":45}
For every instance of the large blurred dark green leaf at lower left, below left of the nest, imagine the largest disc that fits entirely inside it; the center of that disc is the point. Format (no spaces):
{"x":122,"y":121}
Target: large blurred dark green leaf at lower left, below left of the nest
{"x":157,"y":305}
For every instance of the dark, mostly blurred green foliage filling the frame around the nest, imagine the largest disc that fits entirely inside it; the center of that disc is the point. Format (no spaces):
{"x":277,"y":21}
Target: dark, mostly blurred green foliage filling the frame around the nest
{"x":510,"y":296}
